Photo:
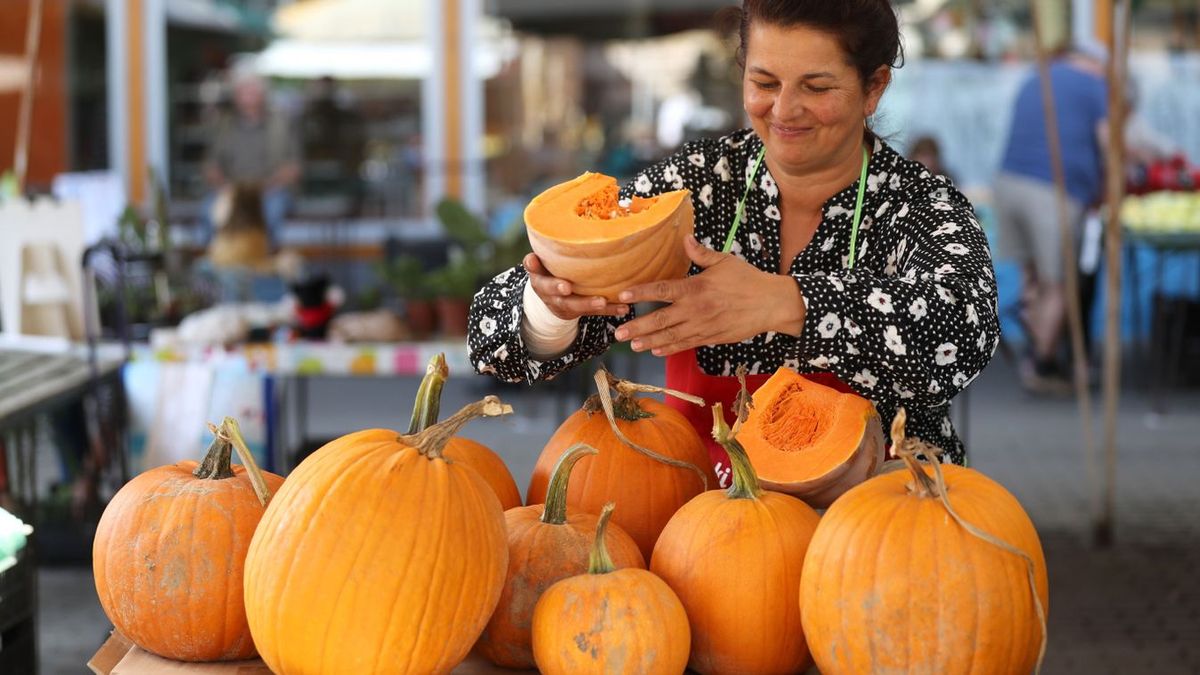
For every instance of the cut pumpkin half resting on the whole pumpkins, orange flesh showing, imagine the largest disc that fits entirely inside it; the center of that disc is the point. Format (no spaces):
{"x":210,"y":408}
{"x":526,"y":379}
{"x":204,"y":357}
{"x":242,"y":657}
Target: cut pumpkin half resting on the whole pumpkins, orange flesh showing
{"x":809,"y":440}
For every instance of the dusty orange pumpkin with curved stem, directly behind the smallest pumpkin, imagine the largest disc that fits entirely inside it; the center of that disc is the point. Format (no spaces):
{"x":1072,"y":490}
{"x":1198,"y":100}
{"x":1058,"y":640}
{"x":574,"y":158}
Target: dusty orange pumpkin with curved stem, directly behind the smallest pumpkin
{"x":545,"y":545}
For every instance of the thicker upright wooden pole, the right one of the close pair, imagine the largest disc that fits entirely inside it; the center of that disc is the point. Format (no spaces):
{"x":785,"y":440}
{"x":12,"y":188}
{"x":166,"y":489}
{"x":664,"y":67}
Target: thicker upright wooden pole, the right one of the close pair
{"x":1119,"y":65}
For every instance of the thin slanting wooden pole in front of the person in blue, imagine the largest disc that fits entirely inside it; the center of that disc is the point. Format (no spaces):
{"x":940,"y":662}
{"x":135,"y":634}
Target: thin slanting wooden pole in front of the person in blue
{"x":1071,"y":272}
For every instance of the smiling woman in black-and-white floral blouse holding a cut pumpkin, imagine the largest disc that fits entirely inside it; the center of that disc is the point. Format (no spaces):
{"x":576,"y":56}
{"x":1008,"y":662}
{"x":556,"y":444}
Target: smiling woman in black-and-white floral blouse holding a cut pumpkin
{"x":896,"y":298}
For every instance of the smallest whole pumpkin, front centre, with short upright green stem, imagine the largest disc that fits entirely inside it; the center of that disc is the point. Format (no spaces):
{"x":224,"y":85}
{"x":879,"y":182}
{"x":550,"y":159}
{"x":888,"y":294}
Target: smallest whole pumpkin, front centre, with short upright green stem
{"x":611,"y":622}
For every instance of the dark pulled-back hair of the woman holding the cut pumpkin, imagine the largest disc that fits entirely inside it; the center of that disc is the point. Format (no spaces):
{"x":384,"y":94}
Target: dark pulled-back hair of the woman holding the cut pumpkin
{"x":868,"y":31}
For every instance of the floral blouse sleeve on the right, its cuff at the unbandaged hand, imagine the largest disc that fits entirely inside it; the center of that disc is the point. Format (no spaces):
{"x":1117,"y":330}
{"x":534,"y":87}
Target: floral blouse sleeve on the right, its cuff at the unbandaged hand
{"x":921,"y":332}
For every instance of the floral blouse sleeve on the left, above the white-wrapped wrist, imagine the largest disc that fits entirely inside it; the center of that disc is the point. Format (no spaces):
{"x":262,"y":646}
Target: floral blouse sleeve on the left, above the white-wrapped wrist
{"x":495,"y":341}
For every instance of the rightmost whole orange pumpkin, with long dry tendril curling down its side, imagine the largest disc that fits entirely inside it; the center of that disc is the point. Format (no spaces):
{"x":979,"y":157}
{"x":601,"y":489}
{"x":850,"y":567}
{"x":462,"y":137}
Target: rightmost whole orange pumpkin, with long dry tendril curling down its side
{"x":909,"y":574}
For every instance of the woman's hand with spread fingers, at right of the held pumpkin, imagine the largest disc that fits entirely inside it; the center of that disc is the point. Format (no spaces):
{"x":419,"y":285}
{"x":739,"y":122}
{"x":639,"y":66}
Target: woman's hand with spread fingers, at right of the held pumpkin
{"x":728,"y":302}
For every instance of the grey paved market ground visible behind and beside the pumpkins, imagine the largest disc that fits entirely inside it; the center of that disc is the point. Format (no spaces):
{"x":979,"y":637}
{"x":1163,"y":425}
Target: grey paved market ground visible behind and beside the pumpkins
{"x":1131,"y":610}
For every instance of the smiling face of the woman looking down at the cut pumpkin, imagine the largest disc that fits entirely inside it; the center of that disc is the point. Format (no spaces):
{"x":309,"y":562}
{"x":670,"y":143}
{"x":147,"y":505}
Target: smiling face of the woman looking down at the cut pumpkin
{"x":805,"y":97}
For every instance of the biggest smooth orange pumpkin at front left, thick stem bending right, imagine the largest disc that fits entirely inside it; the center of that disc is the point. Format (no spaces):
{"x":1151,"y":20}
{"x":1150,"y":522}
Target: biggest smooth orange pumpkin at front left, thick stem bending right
{"x":377,"y":557}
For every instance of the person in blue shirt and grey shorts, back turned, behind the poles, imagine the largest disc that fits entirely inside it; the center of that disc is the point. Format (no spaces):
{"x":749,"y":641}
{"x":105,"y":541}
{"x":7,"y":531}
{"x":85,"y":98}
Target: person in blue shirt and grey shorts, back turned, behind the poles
{"x":1027,"y":200}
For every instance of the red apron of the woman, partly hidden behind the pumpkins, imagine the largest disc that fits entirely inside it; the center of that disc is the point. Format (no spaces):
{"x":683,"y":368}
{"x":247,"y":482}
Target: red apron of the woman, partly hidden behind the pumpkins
{"x":685,"y":375}
